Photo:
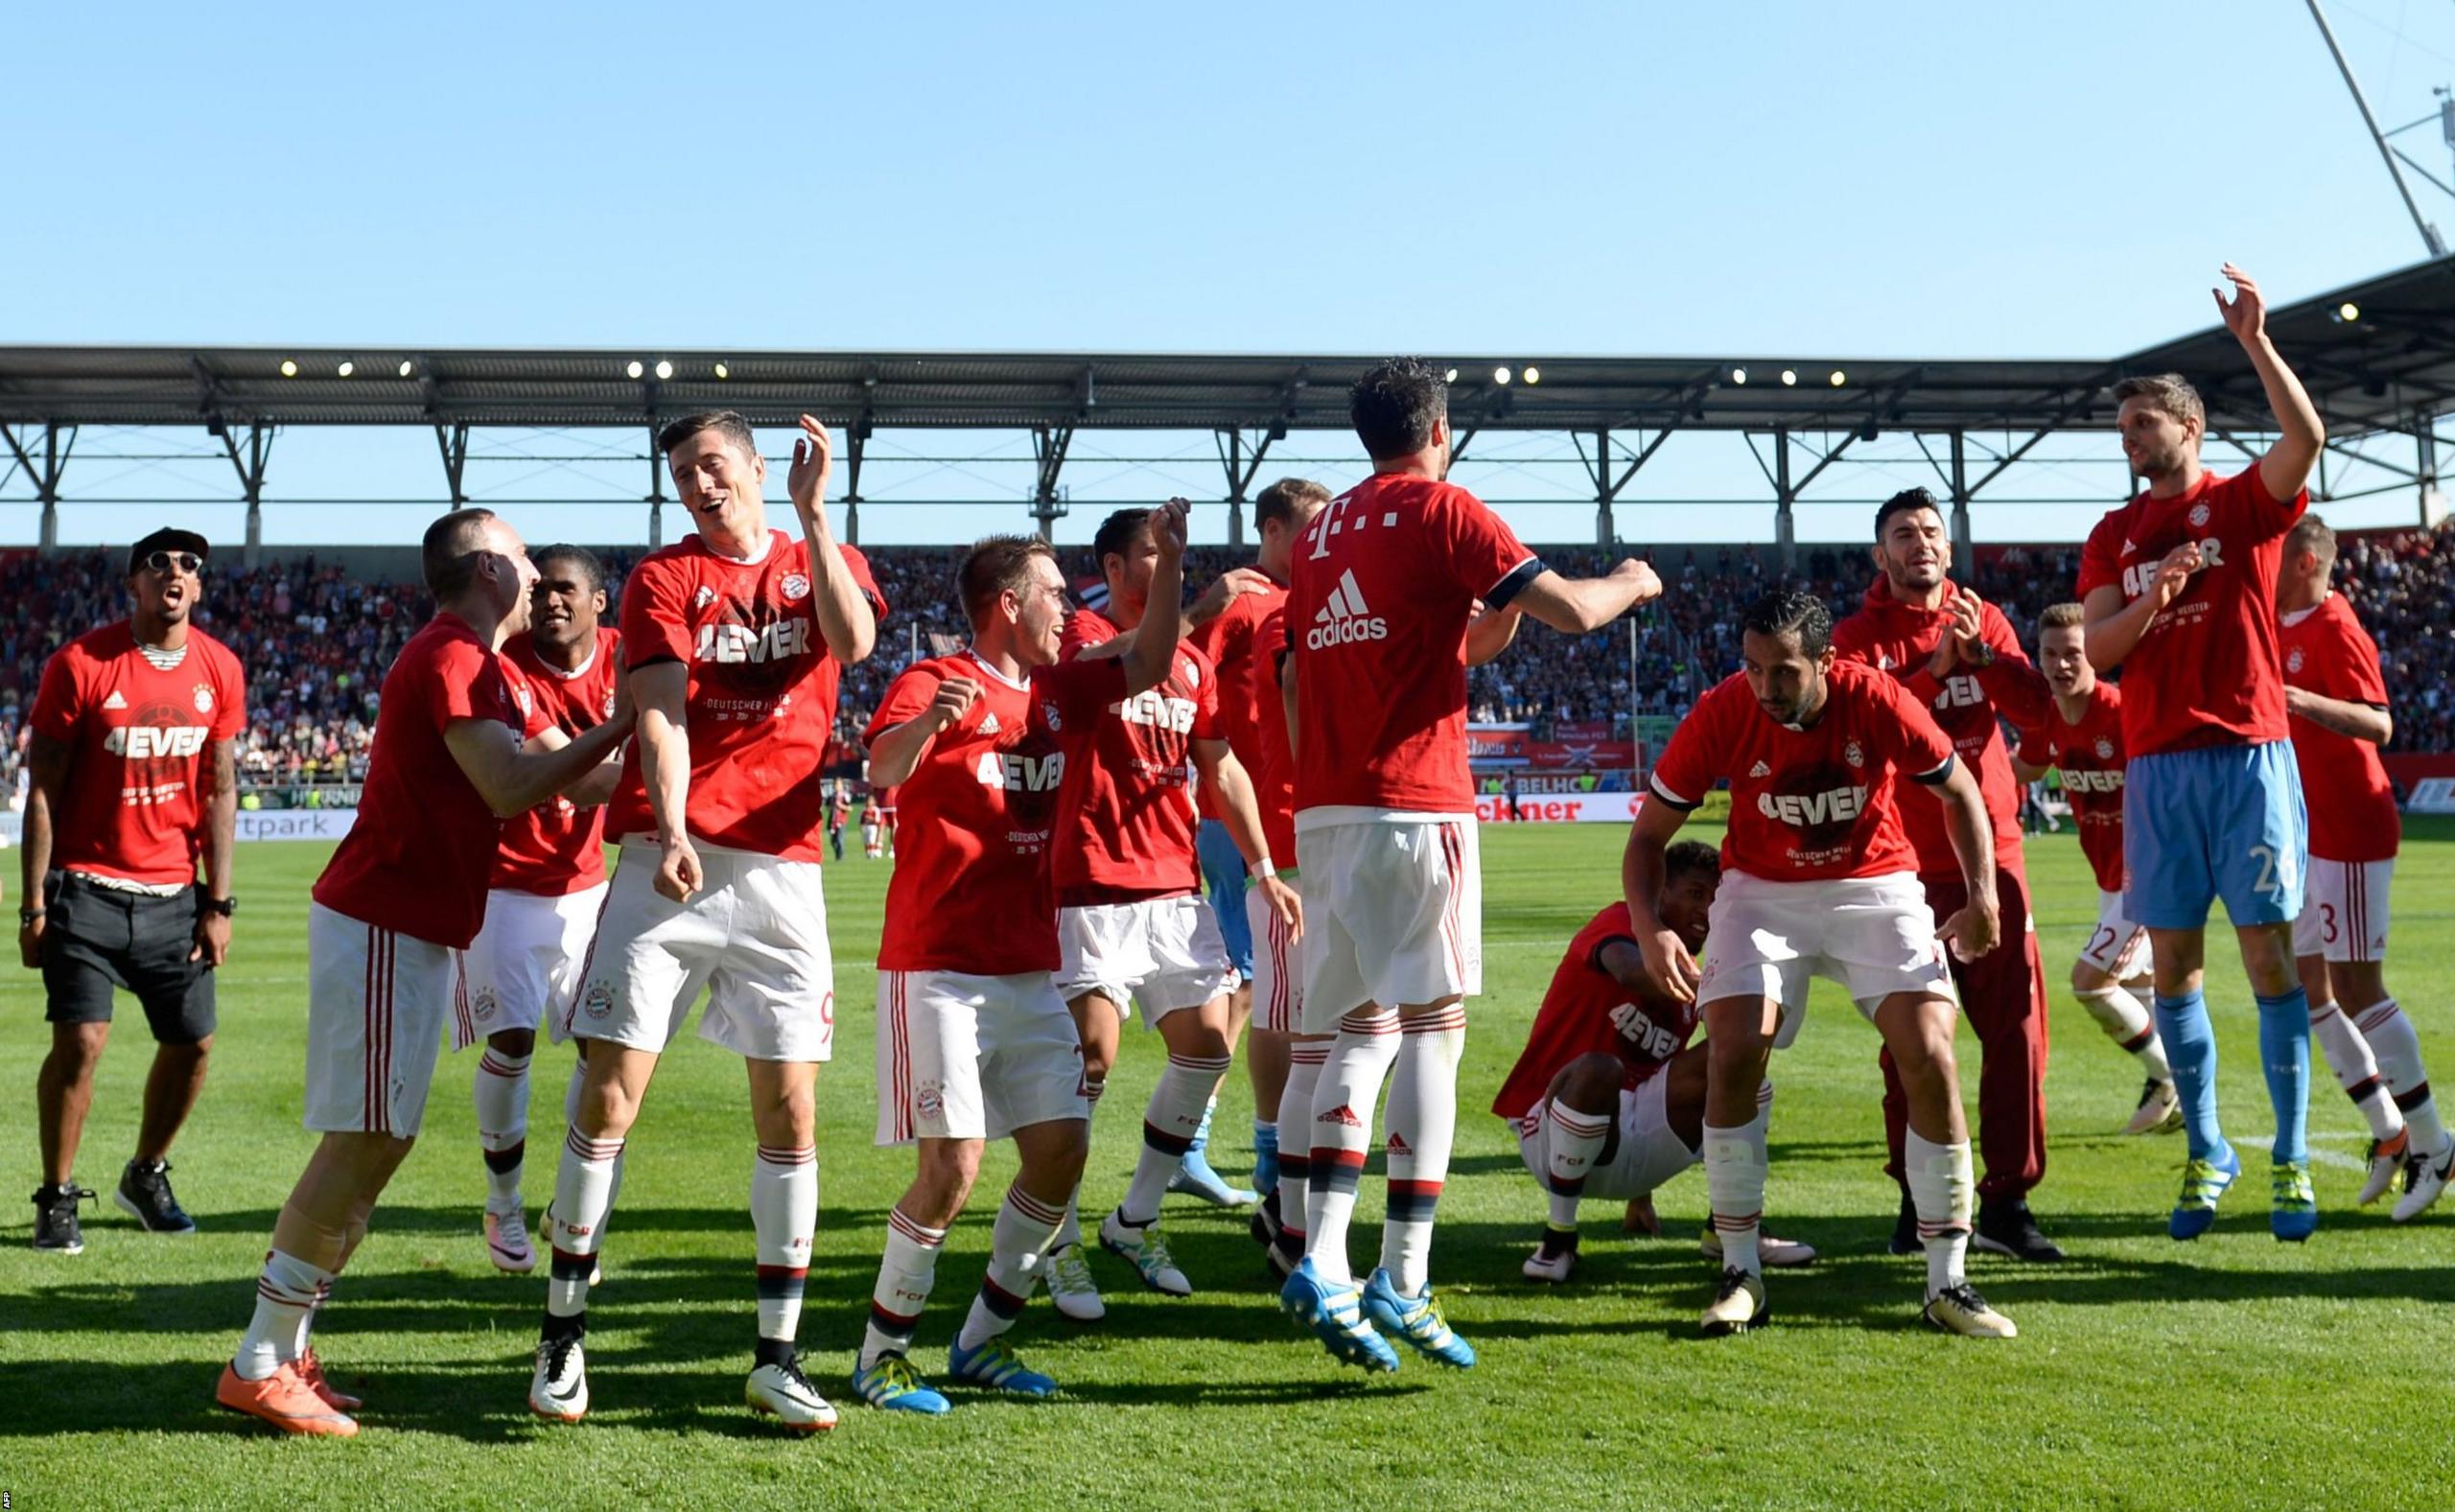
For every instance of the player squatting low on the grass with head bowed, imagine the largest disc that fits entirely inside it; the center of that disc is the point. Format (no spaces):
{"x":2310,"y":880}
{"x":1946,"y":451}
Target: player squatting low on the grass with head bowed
{"x":1609,"y":1093}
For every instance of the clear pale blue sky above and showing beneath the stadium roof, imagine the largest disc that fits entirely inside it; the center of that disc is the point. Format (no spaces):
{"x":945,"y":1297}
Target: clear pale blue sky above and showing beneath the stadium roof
{"x":1931,"y":180}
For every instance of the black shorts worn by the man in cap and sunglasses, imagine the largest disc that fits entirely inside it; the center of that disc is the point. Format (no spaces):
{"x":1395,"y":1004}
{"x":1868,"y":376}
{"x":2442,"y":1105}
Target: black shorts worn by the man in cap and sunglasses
{"x":102,"y":939}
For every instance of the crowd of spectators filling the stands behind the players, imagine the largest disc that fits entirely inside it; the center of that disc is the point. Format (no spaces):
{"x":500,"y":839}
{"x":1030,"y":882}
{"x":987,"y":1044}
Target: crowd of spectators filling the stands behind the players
{"x":318,"y":639}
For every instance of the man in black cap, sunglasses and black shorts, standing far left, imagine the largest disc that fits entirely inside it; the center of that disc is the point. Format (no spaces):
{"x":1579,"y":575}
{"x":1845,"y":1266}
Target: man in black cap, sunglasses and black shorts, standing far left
{"x":131,"y":782}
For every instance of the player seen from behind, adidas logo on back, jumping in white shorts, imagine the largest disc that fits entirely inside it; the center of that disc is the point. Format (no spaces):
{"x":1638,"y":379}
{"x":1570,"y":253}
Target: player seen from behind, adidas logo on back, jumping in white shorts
{"x":1383,"y":588}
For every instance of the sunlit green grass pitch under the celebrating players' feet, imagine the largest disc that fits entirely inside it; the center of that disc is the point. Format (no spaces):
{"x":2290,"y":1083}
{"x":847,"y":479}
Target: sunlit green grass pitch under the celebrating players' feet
{"x":2228,"y":1373}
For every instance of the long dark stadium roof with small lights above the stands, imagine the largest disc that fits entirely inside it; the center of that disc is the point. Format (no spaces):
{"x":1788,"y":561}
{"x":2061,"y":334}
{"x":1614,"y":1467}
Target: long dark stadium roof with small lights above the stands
{"x":2373,"y":372}
